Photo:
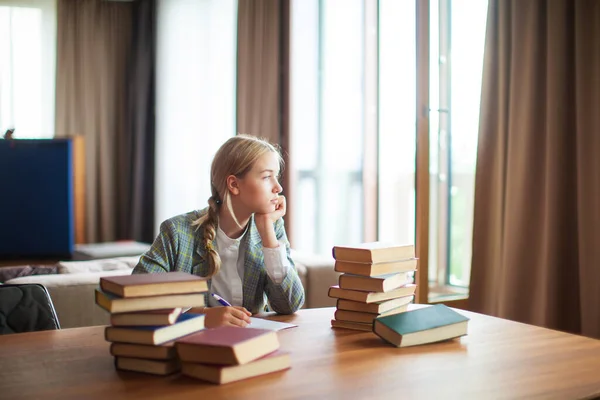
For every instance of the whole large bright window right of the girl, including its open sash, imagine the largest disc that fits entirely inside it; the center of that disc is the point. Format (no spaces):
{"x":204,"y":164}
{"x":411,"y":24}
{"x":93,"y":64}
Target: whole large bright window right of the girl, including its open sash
{"x":332,"y":106}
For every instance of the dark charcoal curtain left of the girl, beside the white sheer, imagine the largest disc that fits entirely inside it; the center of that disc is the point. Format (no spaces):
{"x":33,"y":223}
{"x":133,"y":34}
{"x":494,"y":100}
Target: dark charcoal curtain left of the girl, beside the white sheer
{"x":135,"y":210}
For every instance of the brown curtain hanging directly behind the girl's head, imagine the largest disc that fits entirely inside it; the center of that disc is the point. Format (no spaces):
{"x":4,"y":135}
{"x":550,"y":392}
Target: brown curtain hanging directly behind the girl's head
{"x":263,"y":78}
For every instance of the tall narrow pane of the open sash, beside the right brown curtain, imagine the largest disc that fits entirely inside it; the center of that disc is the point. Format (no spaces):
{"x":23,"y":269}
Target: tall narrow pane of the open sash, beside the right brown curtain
{"x":468,"y":22}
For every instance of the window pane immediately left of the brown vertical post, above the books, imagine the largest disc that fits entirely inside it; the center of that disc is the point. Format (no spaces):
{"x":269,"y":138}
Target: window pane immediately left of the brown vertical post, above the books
{"x":341,"y":123}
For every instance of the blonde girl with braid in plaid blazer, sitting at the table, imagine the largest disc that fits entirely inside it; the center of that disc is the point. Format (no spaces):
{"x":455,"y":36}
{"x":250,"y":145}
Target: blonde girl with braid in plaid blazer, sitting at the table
{"x":238,"y":241}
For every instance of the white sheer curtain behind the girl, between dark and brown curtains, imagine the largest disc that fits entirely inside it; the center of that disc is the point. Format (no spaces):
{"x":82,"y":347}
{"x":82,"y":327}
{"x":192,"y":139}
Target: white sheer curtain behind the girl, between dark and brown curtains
{"x":195,"y":92}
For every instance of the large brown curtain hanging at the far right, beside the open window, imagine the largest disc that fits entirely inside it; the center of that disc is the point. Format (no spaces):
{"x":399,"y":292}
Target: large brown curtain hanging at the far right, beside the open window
{"x":536,"y":249}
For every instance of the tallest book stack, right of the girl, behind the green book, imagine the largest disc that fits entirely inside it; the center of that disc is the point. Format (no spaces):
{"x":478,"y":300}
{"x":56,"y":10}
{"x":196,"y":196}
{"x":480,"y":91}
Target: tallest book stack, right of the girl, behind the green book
{"x":377,"y":280}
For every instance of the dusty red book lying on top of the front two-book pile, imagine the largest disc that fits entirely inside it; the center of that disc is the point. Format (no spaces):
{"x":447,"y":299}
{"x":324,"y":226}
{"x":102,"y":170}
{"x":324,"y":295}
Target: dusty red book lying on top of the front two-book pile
{"x":227,"y":345}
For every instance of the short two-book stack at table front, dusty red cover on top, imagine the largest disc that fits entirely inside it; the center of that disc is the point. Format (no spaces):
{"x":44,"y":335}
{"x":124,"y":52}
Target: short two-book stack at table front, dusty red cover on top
{"x":229,"y":354}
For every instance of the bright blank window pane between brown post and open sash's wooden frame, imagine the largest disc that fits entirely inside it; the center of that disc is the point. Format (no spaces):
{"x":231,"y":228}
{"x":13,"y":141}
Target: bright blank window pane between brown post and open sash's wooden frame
{"x":397,"y":123}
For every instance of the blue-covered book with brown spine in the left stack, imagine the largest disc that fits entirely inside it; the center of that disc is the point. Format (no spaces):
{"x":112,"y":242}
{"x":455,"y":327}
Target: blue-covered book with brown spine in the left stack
{"x":186,"y":324}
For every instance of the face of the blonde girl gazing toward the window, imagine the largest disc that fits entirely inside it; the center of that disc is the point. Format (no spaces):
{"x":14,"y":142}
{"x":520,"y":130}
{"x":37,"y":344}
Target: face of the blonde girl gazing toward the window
{"x":259,"y":188}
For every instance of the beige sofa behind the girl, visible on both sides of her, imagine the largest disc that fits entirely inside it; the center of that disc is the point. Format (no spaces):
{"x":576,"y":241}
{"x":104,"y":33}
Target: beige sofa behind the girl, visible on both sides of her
{"x":71,"y":285}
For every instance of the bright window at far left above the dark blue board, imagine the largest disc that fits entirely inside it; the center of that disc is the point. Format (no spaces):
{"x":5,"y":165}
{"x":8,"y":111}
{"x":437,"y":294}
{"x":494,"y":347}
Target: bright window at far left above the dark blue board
{"x":28,"y":67}
